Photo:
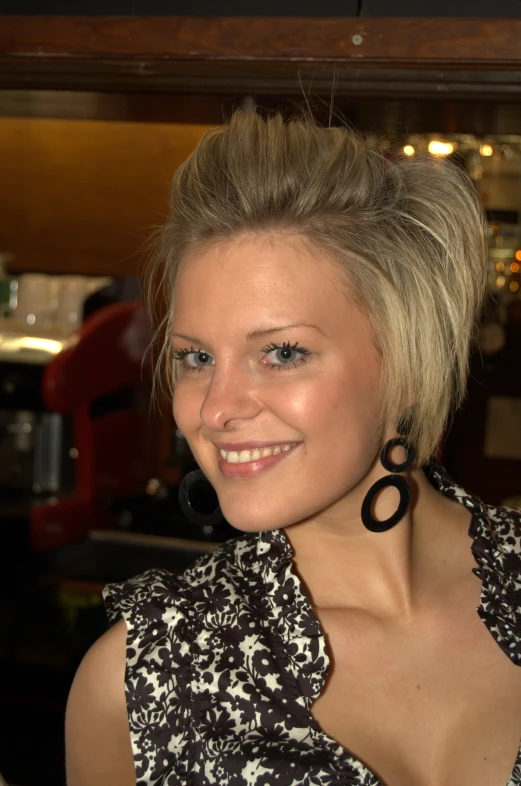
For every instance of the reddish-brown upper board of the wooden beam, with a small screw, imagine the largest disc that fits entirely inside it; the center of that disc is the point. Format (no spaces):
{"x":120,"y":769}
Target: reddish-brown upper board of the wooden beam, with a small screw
{"x":494,"y":42}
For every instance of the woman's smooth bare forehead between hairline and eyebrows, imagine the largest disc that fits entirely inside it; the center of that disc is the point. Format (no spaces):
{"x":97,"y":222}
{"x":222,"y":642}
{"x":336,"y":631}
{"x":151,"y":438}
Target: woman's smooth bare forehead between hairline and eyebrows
{"x":264,"y":275}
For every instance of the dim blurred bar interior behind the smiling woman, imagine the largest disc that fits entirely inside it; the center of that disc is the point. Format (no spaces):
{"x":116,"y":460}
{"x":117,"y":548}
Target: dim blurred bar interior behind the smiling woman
{"x":99,"y":103}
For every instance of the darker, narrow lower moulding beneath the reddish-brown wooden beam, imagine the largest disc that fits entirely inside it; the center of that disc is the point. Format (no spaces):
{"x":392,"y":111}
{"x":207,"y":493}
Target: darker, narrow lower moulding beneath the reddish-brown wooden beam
{"x":229,"y":80}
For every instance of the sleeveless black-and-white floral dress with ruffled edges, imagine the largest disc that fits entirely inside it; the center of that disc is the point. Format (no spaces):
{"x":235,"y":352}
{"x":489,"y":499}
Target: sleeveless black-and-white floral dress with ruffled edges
{"x":225,"y":661}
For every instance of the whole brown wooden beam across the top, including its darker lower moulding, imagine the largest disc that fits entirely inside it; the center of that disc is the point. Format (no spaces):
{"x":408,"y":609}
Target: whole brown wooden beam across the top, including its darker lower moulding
{"x":228,"y":58}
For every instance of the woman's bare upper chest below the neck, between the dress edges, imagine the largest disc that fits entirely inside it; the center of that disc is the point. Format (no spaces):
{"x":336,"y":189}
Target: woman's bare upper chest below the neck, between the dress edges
{"x":436,"y":705}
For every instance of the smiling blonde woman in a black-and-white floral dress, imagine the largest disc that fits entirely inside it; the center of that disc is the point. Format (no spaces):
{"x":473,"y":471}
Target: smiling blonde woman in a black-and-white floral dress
{"x":324,"y":299}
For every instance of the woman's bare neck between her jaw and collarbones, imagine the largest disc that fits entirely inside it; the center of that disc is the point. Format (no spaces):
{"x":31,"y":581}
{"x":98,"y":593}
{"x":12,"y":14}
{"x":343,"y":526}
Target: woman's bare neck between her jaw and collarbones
{"x":343,"y":565}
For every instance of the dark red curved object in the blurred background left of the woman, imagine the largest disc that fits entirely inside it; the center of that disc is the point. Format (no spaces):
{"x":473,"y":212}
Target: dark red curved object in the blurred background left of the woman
{"x":106,"y":355}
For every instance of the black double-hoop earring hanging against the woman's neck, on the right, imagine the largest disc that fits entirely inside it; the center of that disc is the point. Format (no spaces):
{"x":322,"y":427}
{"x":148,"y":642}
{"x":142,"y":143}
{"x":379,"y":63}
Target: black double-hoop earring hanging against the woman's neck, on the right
{"x":397,"y":481}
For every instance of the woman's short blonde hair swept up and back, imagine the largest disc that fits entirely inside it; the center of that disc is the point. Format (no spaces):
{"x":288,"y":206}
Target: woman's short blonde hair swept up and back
{"x":409,"y":234}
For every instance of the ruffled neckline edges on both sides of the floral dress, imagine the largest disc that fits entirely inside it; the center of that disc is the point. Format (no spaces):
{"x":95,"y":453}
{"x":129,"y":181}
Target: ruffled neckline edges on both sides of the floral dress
{"x":498,"y":566}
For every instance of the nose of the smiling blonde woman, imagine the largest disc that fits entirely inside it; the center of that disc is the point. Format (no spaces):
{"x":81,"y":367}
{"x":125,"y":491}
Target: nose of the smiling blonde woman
{"x":230,"y":397}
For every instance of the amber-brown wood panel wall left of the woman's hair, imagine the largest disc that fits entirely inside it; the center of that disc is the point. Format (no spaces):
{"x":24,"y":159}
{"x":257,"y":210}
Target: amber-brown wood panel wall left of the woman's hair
{"x":83,"y":196}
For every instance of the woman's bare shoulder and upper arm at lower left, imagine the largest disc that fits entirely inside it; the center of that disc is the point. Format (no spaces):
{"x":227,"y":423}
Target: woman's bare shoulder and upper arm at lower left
{"x":97,"y":736}
